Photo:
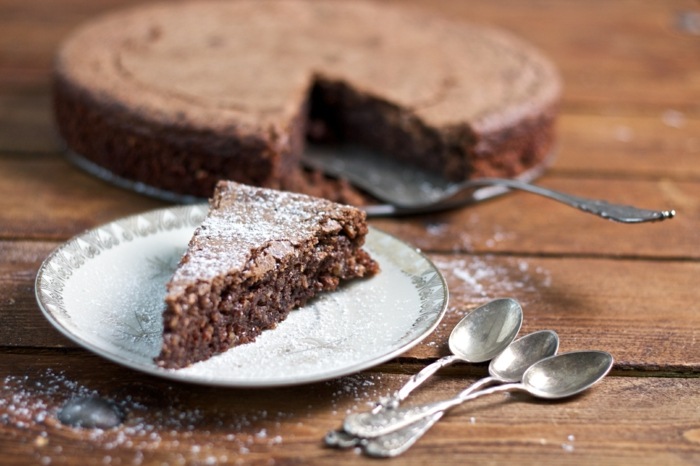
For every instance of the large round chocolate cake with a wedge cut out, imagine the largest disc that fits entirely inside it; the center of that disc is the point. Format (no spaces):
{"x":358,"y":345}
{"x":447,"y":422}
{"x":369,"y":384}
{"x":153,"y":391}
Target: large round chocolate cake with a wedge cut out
{"x":173,"y":97}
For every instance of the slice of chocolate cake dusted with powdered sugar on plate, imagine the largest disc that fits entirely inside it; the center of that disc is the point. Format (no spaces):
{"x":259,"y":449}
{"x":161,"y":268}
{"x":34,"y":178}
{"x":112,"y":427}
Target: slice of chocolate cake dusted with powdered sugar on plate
{"x":259,"y":254}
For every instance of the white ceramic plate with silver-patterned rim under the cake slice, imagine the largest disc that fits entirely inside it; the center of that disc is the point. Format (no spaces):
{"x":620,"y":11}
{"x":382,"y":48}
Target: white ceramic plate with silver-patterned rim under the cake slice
{"x":104,"y":289}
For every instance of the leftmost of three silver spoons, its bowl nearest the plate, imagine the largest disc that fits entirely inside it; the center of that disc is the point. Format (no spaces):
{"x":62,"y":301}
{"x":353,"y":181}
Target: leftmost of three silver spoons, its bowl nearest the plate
{"x":478,"y":337}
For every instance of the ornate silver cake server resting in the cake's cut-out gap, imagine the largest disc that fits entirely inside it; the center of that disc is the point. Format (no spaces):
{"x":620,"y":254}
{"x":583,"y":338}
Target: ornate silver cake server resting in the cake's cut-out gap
{"x":408,"y":191}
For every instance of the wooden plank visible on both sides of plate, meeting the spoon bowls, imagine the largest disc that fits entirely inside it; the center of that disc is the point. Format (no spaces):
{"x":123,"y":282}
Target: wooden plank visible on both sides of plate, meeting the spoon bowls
{"x":600,"y":303}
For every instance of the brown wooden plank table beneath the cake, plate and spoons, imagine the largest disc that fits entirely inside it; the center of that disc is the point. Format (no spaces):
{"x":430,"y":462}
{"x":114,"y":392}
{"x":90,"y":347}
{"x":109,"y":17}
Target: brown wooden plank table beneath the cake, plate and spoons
{"x":629,"y":132}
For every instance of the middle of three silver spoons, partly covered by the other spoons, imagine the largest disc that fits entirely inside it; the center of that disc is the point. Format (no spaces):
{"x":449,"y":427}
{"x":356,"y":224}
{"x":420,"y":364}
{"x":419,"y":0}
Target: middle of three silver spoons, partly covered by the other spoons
{"x":509,"y":366}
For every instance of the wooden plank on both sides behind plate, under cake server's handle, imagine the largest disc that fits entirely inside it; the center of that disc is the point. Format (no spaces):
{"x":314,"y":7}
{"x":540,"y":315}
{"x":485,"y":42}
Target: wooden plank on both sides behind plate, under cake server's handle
{"x":66,"y":201}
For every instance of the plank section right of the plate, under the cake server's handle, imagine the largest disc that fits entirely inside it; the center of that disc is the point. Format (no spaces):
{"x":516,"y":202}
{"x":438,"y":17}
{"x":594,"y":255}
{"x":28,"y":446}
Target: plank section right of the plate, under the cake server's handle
{"x":524,"y":223}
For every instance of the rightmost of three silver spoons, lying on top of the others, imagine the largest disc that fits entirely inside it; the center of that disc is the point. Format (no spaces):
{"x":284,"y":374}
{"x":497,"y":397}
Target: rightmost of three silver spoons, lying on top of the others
{"x":551,"y":378}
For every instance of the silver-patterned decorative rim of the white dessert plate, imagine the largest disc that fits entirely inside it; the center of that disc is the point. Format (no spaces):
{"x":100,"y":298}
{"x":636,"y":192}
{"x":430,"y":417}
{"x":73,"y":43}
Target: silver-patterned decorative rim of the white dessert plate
{"x":56,"y":270}
